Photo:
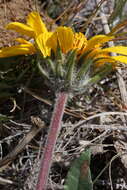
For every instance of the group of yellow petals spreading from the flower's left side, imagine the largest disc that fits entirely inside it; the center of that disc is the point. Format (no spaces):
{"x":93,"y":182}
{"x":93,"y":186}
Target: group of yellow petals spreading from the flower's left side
{"x":34,"y":28}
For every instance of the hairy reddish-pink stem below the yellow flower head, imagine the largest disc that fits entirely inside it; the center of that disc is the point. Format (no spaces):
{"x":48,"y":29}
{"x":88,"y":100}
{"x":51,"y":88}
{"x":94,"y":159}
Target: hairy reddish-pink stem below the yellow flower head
{"x":51,"y":140}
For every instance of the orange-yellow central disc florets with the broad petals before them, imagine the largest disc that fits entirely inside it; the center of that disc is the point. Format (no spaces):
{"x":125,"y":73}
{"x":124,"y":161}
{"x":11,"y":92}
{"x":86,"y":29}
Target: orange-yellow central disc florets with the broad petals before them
{"x":67,"y":40}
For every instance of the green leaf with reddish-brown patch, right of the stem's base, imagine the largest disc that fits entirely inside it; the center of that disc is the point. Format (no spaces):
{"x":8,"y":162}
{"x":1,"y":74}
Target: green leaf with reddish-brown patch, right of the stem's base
{"x":79,"y":175}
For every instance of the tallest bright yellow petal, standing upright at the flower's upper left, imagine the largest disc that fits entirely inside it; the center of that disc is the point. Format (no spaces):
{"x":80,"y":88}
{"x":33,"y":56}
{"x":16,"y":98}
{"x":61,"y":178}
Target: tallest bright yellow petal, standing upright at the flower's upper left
{"x":35,"y":22}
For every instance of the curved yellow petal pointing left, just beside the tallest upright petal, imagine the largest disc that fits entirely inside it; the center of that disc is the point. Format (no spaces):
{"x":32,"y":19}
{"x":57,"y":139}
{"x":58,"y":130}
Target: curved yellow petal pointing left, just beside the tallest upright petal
{"x":21,"y":28}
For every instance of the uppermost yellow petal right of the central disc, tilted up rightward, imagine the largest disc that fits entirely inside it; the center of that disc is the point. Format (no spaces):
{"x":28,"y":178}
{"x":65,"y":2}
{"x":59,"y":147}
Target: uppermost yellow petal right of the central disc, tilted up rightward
{"x":97,"y":41}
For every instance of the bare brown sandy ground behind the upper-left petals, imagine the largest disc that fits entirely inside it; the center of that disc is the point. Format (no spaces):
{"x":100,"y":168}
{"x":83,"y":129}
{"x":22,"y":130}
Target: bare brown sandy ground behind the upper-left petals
{"x":11,"y":11}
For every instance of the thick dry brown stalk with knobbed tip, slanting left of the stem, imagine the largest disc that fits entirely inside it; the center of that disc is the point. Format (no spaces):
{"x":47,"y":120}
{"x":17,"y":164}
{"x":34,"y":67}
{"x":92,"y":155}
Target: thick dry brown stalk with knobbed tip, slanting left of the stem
{"x":38,"y":124}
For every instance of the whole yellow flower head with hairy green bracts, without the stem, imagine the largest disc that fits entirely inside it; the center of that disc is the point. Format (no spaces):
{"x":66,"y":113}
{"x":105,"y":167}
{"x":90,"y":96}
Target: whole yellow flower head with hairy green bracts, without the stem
{"x":73,"y":56}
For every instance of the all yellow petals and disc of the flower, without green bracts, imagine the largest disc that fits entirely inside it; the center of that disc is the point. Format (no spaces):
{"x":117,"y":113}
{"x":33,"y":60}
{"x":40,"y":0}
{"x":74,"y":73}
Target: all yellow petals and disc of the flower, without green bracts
{"x":65,"y":38}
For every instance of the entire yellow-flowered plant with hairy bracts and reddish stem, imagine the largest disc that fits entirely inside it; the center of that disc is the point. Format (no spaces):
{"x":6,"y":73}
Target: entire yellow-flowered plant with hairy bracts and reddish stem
{"x":69,"y":61}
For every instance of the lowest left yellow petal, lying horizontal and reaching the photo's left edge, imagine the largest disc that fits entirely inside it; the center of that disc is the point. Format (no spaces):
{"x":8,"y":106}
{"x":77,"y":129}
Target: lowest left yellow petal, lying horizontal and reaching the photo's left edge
{"x":22,"y":49}
